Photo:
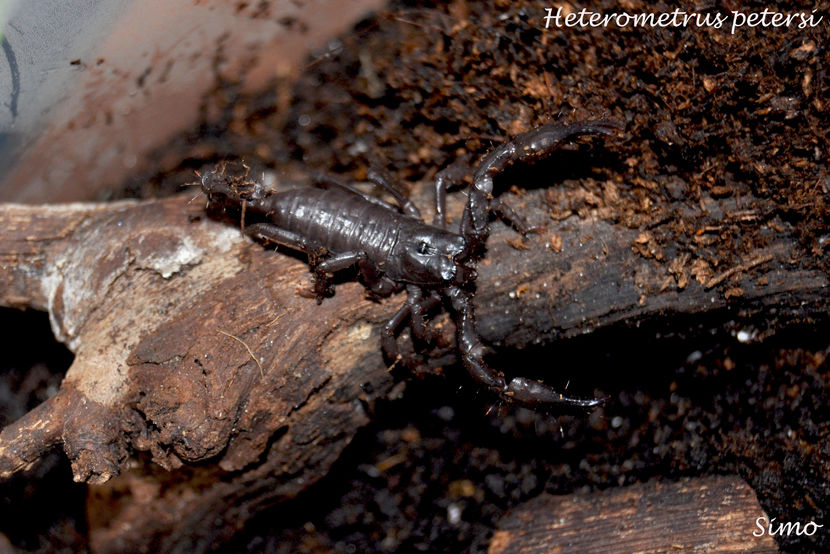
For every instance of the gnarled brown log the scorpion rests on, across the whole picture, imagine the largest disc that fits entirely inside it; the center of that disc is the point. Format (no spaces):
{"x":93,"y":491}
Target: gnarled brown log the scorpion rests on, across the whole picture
{"x":192,"y":345}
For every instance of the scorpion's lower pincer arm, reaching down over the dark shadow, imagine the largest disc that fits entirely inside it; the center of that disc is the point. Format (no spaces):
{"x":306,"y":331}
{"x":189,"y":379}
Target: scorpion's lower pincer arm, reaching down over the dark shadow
{"x":521,"y":390}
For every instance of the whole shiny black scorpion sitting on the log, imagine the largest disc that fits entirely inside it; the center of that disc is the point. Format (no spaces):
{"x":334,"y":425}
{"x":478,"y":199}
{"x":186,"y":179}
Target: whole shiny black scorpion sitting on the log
{"x":339,"y":226}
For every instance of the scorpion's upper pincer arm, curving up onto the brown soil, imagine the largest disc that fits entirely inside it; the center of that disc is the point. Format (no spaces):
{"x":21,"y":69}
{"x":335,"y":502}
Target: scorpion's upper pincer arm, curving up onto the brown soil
{"x":528,"y":146}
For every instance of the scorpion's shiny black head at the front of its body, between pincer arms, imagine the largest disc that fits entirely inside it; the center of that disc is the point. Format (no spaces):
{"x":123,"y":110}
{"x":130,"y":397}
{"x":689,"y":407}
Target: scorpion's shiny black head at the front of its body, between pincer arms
{"x":433,"y":256}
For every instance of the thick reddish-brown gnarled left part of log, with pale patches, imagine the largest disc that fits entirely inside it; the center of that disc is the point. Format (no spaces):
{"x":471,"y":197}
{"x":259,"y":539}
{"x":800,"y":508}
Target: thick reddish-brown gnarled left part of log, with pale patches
{"x":155,"y":300}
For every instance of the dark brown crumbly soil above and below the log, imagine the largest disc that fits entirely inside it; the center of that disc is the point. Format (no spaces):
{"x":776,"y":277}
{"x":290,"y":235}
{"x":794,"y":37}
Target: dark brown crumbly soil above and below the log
{"x":707,"y":114}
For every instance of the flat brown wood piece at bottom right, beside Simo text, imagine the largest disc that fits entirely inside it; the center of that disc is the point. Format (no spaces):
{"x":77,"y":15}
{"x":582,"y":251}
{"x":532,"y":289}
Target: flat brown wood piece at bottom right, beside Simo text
{"x":706,"y":514}
